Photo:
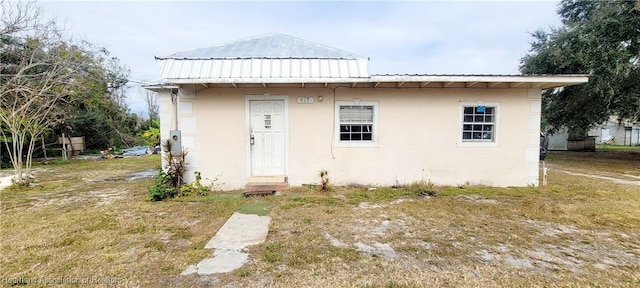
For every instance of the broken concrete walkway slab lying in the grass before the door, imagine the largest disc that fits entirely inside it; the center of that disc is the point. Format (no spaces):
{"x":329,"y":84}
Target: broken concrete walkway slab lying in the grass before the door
{"x":240,"y":231}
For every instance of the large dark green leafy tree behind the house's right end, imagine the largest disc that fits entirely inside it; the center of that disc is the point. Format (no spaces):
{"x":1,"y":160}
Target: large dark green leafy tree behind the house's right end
{"x":599,"y":38}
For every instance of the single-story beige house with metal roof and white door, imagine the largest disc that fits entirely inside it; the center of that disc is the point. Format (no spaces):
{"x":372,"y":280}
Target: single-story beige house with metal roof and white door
{"x":280,"y":107}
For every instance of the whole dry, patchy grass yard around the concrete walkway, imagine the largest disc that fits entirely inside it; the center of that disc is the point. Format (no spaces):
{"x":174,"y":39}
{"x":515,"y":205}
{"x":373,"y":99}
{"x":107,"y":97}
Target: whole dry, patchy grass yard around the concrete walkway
{"x":578,"y":231}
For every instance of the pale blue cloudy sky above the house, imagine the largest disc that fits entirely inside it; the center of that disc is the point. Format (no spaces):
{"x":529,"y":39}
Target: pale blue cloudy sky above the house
{"x":399,"y":37}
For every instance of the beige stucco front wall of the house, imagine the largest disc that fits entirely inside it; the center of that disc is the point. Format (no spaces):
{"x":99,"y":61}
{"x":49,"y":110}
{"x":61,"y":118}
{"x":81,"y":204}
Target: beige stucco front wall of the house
{"x":419,"y":134}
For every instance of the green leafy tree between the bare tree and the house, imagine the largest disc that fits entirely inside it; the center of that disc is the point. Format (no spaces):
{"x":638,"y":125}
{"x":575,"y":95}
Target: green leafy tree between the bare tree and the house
{"x":97,"y":111}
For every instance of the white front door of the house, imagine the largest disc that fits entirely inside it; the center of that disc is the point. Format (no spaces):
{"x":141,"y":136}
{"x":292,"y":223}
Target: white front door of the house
{"x":267,"y":137}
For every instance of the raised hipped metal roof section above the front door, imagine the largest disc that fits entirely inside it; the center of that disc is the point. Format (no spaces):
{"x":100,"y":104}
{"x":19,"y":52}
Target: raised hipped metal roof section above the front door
{"x":273,"y":56}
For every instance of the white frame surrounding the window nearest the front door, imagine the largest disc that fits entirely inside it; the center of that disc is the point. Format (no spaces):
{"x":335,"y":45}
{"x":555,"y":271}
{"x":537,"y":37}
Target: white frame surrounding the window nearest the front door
{"x":374,"y":128}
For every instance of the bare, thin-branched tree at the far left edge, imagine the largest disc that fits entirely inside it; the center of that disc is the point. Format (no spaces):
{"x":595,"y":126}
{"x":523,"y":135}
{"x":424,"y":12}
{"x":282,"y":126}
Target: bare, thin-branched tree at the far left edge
{"x":34,"y":75}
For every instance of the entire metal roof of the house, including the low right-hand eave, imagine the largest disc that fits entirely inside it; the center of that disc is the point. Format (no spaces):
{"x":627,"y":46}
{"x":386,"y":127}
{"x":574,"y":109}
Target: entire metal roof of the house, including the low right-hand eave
{"x":282,"y":59}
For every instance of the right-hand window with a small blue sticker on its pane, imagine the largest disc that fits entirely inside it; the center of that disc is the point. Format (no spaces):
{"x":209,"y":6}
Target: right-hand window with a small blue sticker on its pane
{"x":479,"y":123}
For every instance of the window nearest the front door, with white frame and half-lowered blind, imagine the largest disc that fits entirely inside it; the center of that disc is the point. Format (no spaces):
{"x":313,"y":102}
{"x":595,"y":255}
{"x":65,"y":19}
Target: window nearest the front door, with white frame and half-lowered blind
{"x":356,"y":124}
